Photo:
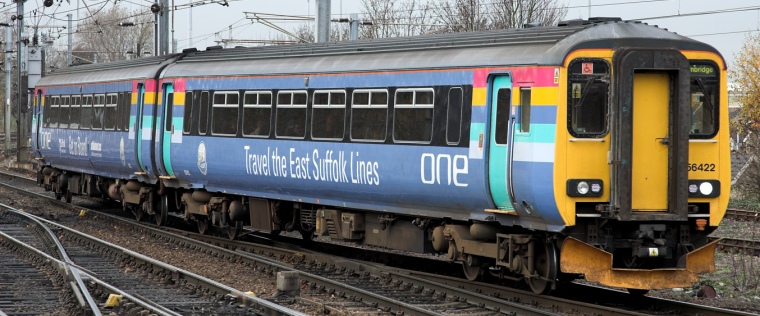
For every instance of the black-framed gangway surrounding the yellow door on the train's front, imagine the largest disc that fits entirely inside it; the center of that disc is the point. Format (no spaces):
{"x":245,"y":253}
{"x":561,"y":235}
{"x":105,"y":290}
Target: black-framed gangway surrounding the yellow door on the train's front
{"x":650,"y":134}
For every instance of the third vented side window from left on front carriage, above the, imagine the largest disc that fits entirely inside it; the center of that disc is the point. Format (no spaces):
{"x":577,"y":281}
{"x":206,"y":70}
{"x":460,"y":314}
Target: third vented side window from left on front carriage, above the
{"x":291,"y":114}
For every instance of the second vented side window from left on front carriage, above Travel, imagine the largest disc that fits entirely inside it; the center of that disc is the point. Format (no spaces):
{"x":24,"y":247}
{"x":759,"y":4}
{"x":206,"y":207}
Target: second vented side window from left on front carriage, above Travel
{"x":257,"y":114}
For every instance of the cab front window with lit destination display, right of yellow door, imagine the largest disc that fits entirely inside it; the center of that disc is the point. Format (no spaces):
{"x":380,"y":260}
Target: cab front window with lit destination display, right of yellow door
{"x":704,"y":93}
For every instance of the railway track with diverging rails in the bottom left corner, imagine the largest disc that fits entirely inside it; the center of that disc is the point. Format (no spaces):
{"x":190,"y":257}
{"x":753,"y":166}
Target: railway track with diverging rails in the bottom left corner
{"x":146,"y":285}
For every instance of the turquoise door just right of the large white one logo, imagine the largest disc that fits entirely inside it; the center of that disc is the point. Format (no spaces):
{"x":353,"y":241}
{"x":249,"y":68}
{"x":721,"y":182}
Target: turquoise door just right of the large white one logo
{"x":499,"y":139}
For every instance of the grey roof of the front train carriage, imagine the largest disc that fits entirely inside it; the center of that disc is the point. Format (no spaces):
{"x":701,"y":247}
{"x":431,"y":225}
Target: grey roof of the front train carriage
{"x":527,"y":46}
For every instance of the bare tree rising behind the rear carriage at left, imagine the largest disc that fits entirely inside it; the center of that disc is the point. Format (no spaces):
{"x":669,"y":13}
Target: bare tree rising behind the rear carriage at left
{"x":106,"y":37}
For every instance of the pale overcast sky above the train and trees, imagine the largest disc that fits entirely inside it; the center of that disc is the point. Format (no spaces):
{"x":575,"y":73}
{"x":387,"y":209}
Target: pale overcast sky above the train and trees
{"x":724,"y":24}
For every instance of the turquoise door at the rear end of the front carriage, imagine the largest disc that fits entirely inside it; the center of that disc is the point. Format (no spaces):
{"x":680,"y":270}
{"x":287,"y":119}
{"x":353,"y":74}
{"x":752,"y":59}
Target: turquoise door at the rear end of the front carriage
{"x":165,"y":129}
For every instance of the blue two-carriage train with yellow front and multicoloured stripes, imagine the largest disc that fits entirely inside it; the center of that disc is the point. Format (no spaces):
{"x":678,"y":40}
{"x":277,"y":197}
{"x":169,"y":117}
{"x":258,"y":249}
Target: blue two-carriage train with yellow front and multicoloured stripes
{"x":594,"y":149}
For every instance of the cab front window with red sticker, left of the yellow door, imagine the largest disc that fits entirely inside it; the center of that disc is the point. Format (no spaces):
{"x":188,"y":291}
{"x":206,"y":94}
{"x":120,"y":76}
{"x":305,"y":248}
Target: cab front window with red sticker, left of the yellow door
{"x":588,"y":94}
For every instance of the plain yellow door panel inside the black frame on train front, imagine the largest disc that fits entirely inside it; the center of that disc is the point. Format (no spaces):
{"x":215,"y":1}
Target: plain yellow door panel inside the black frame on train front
{"x":649,"y":175}
